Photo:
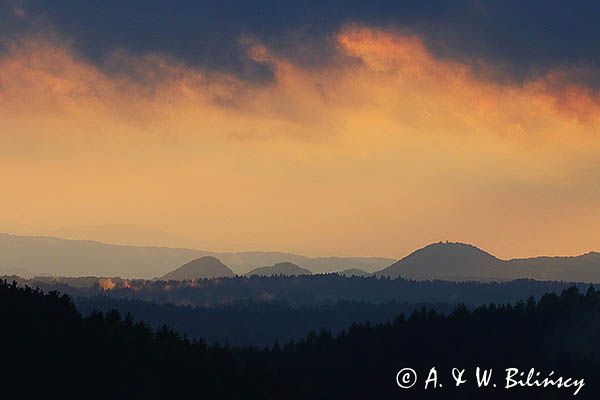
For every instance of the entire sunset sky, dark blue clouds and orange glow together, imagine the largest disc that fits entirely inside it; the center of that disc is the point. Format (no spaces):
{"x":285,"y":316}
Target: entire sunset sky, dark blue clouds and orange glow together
{"x":321,"y":128}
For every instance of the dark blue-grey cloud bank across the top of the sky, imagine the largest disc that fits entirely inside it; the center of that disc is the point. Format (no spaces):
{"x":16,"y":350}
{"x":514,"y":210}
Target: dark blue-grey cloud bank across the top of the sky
{"x":522,"y":39}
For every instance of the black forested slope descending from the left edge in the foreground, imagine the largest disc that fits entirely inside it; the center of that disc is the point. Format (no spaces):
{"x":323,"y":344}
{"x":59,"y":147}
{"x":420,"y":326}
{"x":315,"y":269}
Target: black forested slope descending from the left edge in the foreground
{"x":51,"y":352}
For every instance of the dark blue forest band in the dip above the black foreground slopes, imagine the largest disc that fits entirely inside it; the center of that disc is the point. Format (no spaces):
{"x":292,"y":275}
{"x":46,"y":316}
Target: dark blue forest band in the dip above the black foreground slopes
{"x":254,"y":323}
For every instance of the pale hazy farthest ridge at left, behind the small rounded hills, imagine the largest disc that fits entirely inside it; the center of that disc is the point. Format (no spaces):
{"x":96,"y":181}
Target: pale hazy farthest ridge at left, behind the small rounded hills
{"x":29,"y":256}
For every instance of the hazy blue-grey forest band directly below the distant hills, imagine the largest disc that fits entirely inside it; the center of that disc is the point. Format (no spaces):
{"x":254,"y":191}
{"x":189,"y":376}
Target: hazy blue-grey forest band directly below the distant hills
{"x":318,"y":289}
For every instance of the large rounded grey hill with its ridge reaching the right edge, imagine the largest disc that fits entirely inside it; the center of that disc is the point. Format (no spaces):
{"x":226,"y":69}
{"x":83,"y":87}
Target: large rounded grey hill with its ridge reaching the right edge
{"x":462,"y":262}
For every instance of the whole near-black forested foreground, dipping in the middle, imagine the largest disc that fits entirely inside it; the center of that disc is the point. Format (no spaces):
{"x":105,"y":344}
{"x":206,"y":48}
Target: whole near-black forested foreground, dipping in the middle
{"x":51,"y":351}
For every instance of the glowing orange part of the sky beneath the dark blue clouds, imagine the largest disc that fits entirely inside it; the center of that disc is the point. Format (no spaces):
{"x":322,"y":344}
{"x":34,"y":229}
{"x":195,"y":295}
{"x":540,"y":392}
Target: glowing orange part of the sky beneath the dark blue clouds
{"x":371,"y":157}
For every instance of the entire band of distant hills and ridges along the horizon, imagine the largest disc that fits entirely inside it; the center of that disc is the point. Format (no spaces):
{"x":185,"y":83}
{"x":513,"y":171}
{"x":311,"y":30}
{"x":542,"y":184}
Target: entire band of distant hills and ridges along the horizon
{"x":23,"y":256}
